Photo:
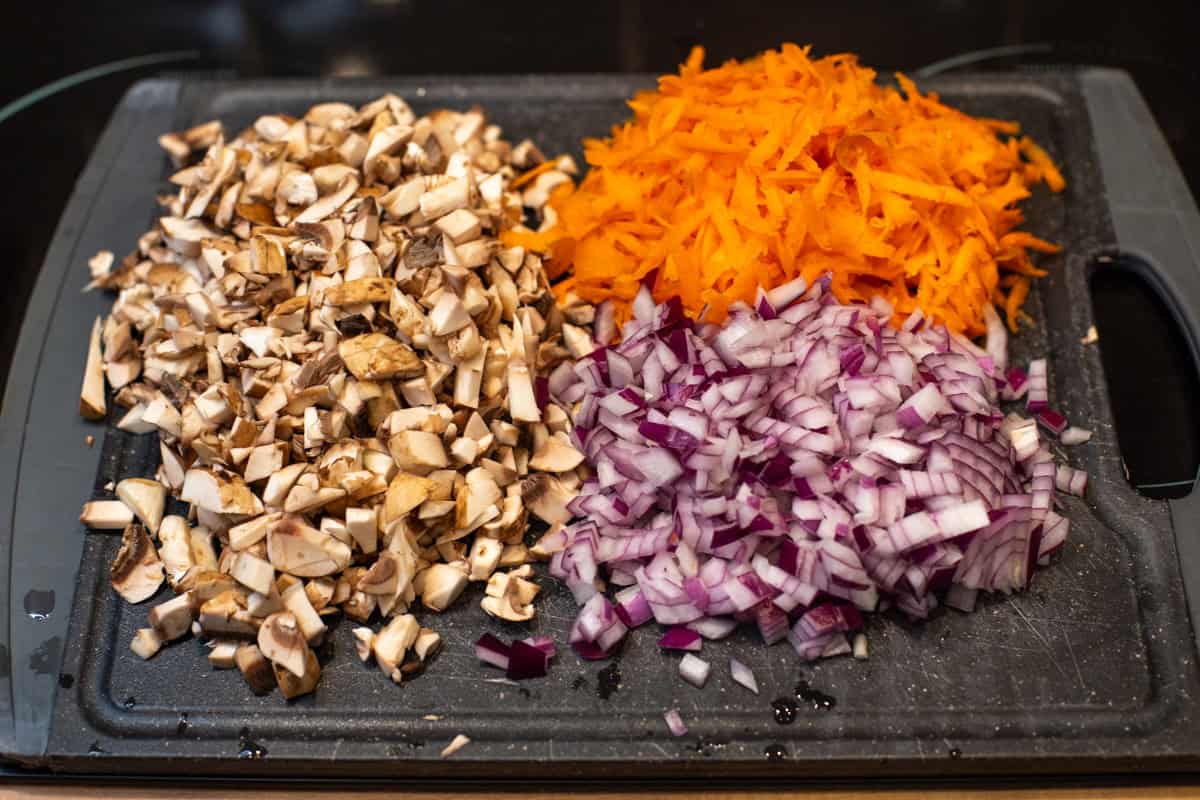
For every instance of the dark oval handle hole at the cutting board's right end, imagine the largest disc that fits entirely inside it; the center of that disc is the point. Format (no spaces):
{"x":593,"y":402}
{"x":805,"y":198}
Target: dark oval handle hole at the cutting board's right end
{"x":1151,"y":377}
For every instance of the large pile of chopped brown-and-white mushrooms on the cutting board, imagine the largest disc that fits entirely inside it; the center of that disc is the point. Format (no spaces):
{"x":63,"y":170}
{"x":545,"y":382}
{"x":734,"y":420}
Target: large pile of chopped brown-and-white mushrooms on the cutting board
{"x":343,"y":365}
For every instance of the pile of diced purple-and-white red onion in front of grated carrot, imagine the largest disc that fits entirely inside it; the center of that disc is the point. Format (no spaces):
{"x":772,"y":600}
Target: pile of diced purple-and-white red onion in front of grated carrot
{"x":801,"y":464}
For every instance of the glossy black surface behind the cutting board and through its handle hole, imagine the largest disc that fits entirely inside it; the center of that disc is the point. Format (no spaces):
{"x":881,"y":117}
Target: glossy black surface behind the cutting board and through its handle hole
{"x":46,"y":145}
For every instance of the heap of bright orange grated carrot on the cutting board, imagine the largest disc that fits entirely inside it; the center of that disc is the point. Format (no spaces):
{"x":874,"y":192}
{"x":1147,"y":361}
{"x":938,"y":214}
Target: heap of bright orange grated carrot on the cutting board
{"x":752,"y":173}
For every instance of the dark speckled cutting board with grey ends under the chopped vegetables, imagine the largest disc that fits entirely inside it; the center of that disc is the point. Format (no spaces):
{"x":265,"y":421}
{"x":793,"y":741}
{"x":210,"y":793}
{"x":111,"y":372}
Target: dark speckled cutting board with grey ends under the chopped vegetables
{"x":1094,"y":670}
